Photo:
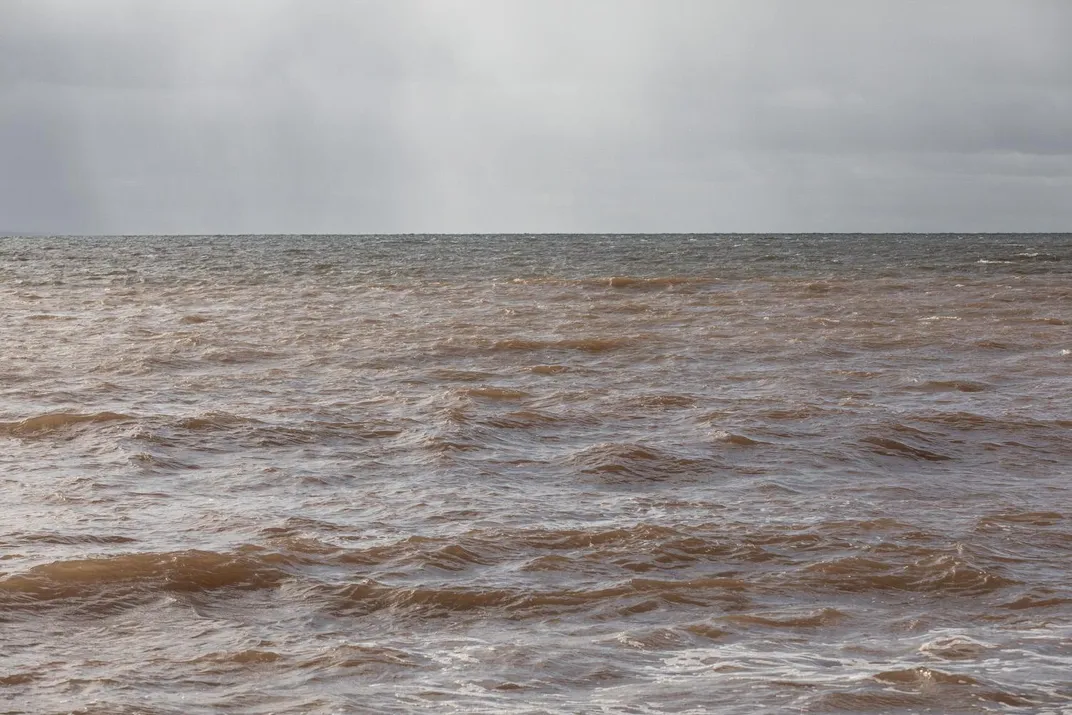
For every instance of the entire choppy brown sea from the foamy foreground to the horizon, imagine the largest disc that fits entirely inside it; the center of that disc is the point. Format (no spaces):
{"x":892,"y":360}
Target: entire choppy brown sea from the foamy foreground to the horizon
{"x":537,"y":474}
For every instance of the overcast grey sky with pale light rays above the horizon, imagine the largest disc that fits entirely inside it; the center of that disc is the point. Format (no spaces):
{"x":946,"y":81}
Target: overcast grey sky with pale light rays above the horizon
{"x":535,"y":116}
